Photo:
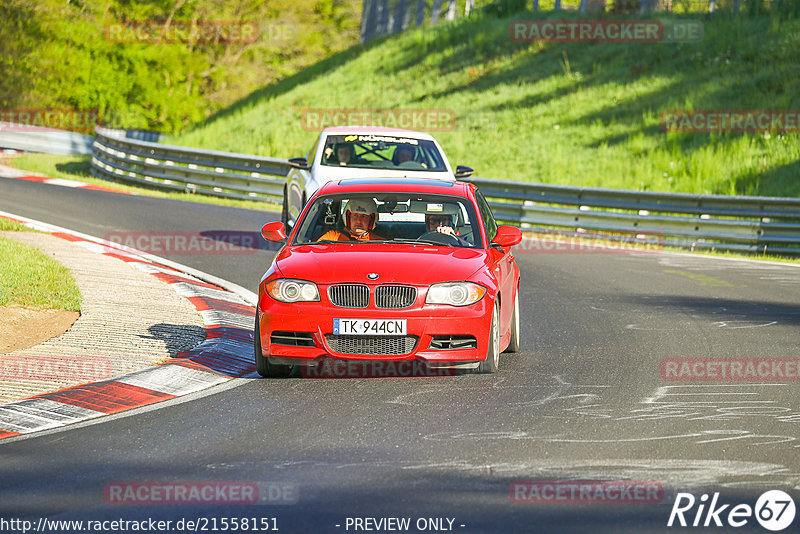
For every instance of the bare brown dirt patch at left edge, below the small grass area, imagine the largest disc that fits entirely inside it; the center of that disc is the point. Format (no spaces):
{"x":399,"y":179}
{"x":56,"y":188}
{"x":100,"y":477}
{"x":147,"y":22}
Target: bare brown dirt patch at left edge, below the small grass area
{"x":21,"y":328}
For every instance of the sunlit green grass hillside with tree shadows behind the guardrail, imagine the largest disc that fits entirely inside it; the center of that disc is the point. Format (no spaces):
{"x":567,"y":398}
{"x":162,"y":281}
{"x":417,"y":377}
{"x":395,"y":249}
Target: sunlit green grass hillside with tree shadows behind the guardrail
{"x":579,"y":113}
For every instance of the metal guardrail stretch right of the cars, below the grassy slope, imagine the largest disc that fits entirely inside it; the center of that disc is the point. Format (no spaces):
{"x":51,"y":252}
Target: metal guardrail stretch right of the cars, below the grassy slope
{"x":748,"y":224}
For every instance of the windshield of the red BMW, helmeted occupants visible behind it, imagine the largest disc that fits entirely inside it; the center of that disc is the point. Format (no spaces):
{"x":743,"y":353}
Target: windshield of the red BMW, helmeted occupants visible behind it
{"x":409,"y":218}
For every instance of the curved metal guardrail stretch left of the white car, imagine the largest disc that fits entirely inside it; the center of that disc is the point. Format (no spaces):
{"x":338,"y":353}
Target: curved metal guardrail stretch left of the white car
{"x":177,"y":168}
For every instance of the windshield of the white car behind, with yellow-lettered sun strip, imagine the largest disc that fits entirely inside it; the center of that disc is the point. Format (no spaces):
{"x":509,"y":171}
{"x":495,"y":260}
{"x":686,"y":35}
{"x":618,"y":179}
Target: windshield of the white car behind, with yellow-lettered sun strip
{"x":382,"y":152}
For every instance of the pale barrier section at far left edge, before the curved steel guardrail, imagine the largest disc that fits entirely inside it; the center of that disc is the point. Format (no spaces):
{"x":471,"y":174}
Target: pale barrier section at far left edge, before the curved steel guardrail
{"x":47,"y":140}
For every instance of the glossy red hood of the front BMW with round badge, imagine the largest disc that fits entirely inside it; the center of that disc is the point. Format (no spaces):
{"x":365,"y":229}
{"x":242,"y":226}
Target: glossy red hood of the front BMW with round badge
{"x":398,"y":264}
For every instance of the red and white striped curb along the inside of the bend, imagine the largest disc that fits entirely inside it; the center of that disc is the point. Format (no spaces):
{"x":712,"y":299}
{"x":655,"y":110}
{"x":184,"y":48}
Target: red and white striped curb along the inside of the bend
{"x":227,"y":352}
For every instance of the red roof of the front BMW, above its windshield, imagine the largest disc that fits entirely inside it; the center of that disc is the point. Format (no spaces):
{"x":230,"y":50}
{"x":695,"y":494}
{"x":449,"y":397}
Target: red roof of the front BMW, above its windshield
{"x":396,"y":185}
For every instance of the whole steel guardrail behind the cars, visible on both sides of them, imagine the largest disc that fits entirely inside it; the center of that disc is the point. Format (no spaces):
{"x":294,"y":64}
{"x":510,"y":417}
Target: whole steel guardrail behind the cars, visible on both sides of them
{"x":750,"y":224}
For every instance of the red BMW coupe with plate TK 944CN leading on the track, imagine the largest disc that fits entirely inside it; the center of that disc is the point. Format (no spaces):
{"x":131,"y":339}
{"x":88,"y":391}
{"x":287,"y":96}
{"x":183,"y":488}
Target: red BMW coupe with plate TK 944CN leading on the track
{"x":389,"y":270}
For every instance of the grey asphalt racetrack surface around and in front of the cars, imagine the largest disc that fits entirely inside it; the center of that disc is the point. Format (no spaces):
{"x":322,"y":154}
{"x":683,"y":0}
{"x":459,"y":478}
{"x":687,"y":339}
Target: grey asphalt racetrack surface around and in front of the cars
{"x":583,"y":400}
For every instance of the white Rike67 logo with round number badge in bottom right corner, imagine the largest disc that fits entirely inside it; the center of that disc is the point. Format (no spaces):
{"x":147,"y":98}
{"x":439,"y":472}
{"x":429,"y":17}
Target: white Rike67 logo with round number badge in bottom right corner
{"x":774,"y":510}
